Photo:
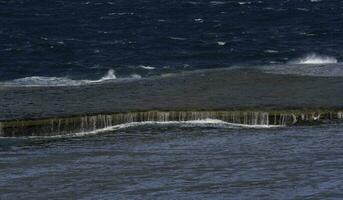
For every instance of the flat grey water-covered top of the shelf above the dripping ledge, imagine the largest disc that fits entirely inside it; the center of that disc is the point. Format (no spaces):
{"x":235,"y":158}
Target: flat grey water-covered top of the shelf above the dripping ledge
{"x":217,"y":89}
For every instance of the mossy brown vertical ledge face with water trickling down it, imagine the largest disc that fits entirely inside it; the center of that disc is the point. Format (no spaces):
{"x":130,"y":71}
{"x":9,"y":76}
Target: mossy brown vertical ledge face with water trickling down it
{"x":62,"y":126}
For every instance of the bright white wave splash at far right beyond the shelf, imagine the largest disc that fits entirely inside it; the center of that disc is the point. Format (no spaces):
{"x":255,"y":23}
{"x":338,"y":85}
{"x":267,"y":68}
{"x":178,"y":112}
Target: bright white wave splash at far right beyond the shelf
{"x":315,"y":59}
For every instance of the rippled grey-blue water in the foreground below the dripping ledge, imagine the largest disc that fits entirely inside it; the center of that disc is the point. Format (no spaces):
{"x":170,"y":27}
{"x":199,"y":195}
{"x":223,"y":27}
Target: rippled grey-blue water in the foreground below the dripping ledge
{"x":177,"y":162}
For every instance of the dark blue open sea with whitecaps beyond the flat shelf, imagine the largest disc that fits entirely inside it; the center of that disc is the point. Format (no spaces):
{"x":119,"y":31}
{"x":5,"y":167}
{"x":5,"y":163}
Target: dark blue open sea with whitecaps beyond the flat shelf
{"x":84,"y":39}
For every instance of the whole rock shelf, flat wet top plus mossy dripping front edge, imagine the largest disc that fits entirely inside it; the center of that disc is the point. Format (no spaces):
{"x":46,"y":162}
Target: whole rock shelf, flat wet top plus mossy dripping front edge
{"x":248,"y":96}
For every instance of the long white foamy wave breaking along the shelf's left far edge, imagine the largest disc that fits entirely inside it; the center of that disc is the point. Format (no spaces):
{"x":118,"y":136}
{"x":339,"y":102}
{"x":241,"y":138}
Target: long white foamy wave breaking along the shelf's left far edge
{"x":59,"y":81}
